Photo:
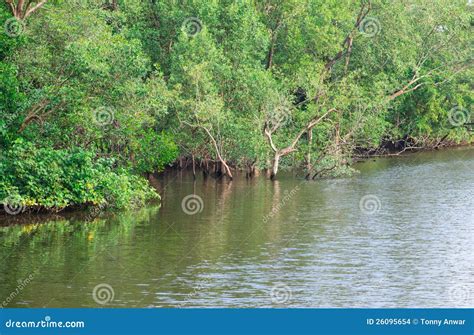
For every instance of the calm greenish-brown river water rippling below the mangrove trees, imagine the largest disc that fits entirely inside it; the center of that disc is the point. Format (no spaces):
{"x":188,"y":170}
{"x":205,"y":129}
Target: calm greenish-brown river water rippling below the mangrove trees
{"x":398,"y":234}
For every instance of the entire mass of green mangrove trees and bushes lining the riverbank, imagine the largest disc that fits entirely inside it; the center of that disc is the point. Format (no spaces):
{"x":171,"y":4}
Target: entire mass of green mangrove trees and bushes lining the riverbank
{"x":96,"y":94}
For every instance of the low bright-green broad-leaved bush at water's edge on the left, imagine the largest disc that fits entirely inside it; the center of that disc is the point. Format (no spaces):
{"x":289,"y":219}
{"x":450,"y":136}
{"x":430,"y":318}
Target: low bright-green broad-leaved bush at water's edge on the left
{"x":55,"y":179}
